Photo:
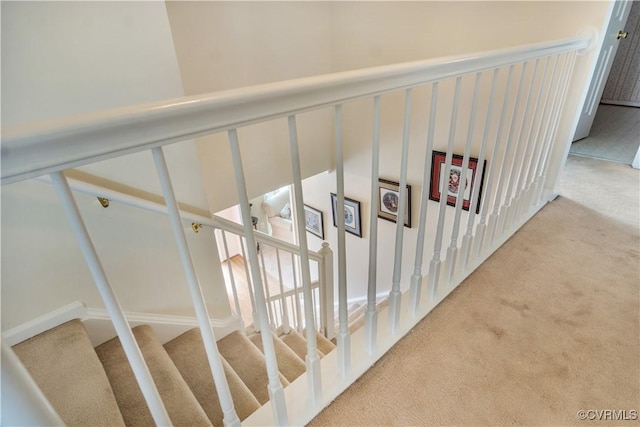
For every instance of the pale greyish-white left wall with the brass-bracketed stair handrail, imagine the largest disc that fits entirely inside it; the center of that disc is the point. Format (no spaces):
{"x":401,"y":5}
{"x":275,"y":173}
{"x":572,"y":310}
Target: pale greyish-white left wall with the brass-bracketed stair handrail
{"x":67,"y":58}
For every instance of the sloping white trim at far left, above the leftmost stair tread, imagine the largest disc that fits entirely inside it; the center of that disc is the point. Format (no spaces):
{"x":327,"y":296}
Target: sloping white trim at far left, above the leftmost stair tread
{"x":75,"y":310}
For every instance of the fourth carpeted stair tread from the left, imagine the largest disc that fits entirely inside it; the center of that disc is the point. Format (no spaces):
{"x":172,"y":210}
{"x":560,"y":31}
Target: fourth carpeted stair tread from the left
{"x":249,"y":363}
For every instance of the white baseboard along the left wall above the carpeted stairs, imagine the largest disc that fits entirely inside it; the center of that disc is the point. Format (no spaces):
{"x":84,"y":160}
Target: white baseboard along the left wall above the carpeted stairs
{"x":100,"y":327}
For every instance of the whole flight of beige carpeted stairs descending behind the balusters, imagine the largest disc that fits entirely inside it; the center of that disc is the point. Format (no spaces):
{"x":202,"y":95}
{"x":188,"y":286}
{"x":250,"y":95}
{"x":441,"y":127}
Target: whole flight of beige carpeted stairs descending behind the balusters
{"x":96,"y":386}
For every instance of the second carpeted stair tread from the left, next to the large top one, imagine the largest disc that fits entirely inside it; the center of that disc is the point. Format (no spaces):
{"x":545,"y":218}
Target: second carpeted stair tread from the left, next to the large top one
{"x":181,"y":405}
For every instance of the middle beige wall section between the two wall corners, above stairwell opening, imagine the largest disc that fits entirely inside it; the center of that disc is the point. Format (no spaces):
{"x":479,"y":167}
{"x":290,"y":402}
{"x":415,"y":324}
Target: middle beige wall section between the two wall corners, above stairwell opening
{"x":225,"y":45}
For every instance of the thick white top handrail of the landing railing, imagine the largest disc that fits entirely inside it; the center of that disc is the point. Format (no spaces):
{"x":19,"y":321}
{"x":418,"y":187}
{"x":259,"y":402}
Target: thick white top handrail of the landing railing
{"x":34,"y":150}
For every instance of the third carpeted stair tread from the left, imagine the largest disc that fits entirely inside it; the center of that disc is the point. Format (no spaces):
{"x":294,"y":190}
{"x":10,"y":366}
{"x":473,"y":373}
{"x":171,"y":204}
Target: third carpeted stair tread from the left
{"x":188,"y":354}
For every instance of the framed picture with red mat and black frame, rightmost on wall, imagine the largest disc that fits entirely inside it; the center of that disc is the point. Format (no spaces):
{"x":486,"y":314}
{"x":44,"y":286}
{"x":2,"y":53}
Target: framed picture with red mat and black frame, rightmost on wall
{"x":459,"y":183}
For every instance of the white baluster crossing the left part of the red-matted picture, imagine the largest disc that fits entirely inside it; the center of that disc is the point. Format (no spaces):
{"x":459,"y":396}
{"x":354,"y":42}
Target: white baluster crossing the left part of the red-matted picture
{"x":434,"y":267}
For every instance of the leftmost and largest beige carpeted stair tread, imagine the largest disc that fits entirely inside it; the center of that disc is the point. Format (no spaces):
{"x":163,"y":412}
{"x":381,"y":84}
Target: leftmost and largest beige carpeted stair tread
{"x":64,"y":365}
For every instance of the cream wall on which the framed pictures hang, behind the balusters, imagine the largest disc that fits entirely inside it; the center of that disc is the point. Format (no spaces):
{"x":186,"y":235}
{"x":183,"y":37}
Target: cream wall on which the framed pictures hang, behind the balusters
{"x":377,"y":33}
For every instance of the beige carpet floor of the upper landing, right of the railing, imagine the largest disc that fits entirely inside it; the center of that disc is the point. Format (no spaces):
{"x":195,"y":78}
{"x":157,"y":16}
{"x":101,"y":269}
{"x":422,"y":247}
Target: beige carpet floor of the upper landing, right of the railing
{"x":548,"y":326}
